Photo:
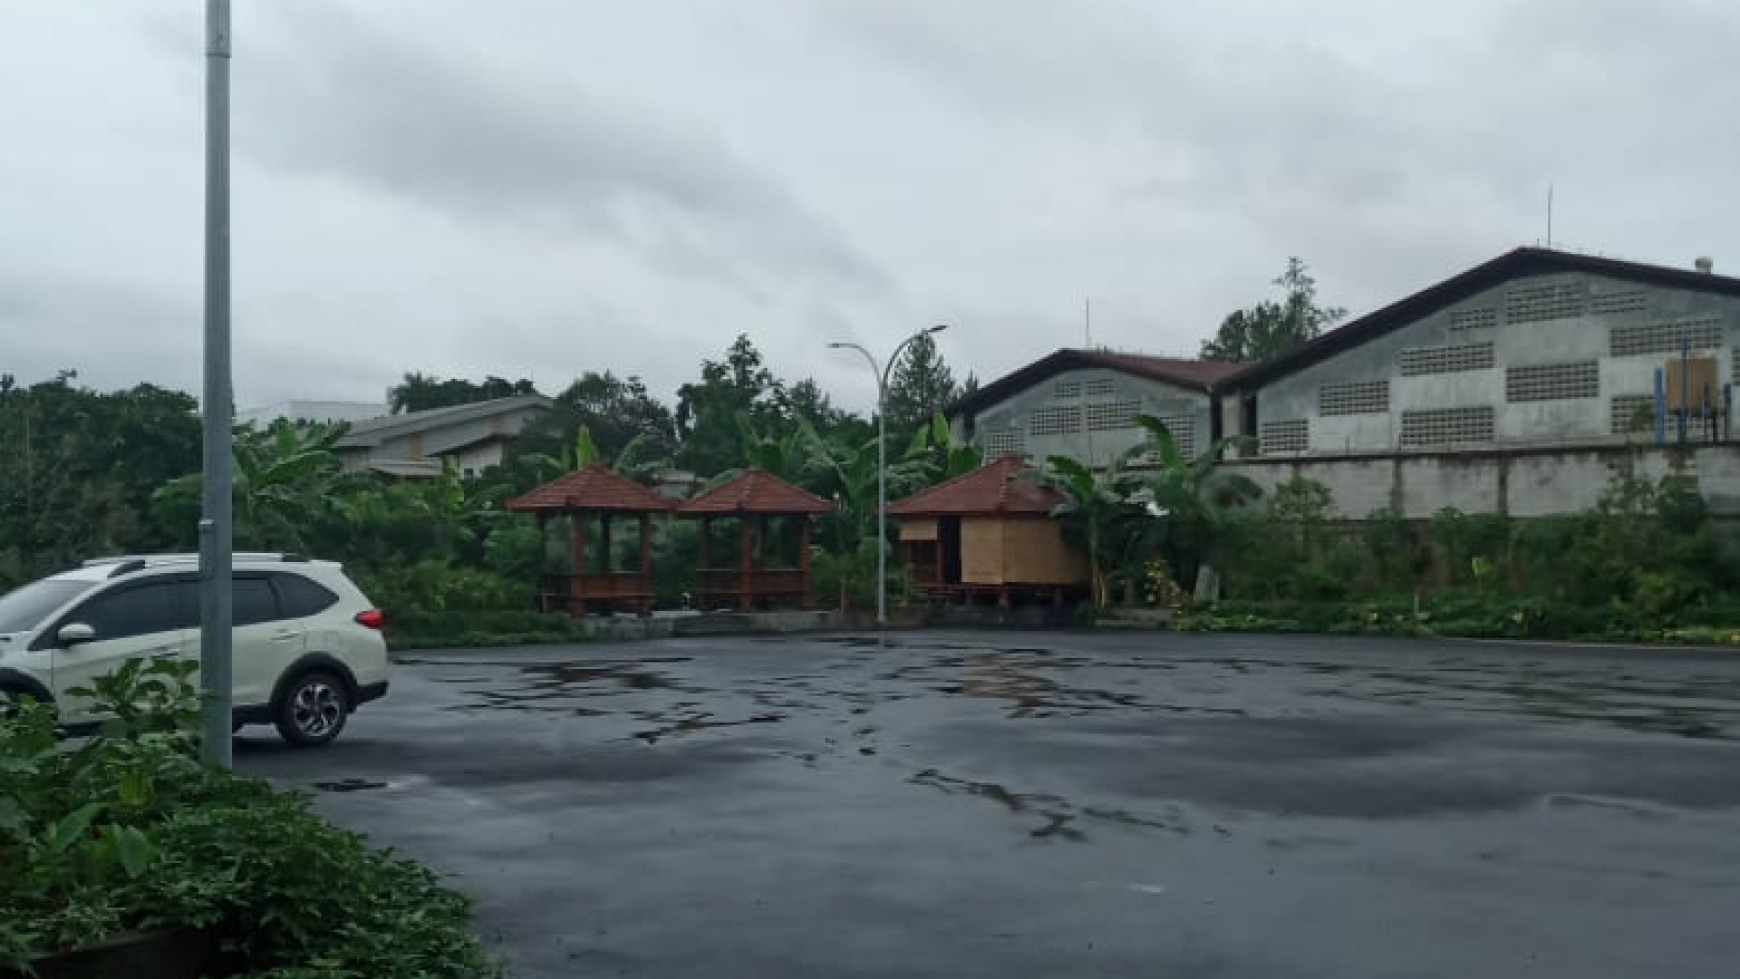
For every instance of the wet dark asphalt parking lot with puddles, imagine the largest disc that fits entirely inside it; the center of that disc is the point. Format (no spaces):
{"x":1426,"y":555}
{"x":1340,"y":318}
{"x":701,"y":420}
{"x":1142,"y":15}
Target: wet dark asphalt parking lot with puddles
{"x":1059,"y":804}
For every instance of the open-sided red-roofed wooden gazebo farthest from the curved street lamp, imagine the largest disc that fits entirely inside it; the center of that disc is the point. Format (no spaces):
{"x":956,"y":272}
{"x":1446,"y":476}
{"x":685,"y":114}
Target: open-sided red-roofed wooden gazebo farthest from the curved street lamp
{"x":596,"y":491}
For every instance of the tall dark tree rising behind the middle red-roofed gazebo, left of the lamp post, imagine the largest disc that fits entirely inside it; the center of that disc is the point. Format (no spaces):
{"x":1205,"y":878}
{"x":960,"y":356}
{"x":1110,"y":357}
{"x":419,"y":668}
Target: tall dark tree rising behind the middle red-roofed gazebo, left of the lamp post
{"x":707,"y":411}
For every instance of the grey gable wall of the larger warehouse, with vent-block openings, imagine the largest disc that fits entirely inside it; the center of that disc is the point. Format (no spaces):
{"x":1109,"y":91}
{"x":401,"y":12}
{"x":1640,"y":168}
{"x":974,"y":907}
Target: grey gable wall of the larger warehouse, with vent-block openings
{"x":1539,"y":321}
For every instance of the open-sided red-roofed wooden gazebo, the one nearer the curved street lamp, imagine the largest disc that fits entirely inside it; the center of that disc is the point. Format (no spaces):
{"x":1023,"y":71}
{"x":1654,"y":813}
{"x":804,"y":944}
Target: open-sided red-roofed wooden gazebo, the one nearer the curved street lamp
{"x":761,"y":576}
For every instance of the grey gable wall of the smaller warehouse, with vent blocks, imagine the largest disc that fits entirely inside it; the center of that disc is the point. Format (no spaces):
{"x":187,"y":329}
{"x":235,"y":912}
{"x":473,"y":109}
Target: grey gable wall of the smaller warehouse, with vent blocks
{"x":1085,"y":415}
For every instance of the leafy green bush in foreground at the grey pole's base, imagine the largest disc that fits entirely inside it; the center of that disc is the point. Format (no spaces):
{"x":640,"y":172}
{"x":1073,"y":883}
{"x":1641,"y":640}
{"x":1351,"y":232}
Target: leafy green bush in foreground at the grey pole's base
{"x":131,"y":834}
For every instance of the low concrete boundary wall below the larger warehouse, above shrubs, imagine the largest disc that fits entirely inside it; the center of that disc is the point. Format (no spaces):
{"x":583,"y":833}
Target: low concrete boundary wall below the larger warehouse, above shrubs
{"x":1520,"y":483}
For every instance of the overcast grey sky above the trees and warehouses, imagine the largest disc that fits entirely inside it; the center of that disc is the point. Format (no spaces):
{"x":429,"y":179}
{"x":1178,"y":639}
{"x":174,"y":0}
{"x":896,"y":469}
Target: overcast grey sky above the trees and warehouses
{"x":547,"y":187}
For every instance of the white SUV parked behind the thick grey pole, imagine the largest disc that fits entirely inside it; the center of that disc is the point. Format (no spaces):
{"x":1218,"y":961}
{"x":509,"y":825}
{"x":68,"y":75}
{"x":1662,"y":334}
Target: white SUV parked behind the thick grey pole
{"x":307,"y":646}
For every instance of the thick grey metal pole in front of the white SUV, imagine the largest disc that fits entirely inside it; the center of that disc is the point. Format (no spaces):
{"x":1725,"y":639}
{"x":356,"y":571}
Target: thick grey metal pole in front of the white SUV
{"x":215,"y":524}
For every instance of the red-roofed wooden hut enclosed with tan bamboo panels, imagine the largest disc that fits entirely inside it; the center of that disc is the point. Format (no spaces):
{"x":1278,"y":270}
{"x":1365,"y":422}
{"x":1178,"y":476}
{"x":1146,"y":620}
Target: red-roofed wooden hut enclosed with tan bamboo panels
{"x":987,"y":533}
